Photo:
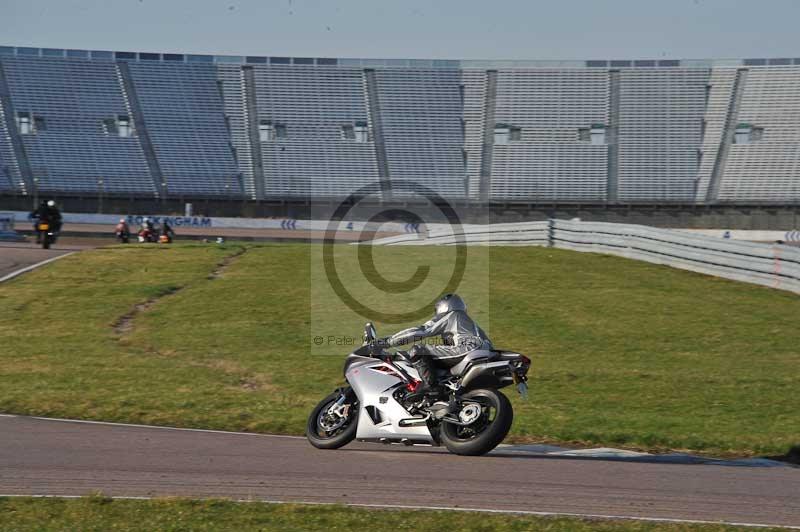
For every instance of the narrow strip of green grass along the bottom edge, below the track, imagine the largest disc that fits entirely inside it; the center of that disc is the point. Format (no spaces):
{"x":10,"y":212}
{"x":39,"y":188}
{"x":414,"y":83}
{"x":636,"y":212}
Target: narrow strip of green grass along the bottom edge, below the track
{"x":101,"y":514}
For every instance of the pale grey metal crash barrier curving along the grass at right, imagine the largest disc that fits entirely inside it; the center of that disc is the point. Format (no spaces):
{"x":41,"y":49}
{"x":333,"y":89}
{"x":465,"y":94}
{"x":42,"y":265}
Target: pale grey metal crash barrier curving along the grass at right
{"x":776,"y":266}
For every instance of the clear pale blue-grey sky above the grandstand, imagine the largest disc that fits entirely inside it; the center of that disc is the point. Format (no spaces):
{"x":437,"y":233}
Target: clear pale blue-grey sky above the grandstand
{"x":438,"y":29}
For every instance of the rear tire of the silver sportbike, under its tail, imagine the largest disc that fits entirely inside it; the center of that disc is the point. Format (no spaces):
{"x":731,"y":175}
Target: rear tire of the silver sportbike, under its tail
{"x":487,"y":431}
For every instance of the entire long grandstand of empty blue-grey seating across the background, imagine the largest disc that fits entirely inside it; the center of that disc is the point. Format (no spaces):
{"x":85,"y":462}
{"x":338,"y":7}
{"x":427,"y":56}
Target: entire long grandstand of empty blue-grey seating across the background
{"x":174,"y":125}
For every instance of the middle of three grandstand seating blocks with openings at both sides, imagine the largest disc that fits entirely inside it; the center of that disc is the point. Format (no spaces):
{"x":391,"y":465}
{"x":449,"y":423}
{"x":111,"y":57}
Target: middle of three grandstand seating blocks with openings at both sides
{"x":313,"y":104}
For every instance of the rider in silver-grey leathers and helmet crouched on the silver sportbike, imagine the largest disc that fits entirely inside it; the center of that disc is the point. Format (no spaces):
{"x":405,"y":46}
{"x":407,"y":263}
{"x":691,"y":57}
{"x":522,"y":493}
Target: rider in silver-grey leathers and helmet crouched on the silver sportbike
{"x":459,"y":333}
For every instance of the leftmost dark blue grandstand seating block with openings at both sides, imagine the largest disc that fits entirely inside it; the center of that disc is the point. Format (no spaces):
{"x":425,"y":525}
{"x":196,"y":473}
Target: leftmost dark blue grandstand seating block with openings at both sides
{"x":70,"y":151}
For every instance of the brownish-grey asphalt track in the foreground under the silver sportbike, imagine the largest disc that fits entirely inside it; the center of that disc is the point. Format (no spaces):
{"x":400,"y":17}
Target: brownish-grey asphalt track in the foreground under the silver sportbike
{"x":51,"y":457}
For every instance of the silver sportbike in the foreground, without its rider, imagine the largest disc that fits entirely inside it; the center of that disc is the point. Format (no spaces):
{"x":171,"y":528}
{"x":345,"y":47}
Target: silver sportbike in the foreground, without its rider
{"x":466,"y":412}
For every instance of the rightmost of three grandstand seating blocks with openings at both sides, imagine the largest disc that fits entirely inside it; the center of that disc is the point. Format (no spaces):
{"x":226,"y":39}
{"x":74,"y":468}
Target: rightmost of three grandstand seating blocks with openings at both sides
{"x":550,"y":161}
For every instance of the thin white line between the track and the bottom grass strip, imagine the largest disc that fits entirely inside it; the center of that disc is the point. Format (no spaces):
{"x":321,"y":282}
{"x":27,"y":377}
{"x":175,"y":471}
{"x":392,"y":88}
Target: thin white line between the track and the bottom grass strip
{"x":440,"y":508}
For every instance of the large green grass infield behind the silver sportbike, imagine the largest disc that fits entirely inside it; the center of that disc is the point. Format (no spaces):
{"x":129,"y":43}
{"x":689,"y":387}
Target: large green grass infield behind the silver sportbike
{"x":625,"y":353}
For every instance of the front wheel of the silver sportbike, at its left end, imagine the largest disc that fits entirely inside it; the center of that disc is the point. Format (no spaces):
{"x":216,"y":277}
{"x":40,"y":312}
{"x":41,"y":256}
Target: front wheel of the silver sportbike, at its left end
{"x":331,"y":426}
